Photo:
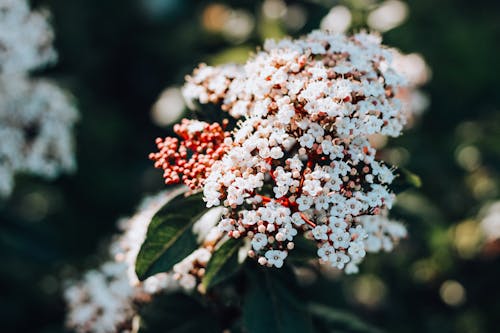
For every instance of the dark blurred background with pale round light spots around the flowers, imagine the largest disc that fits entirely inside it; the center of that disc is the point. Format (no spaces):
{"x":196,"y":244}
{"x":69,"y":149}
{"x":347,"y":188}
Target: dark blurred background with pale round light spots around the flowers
{"x":124,"y":61}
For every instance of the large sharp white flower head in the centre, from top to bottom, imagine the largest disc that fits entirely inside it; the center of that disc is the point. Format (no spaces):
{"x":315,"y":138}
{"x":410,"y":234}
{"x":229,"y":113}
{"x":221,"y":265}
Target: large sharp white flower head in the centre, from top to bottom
{"x":300,"y":160}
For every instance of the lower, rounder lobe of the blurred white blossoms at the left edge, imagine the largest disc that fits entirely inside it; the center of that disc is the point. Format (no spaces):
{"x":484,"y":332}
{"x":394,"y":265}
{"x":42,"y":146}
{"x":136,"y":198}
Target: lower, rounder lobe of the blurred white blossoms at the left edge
{"x":36,"y":121}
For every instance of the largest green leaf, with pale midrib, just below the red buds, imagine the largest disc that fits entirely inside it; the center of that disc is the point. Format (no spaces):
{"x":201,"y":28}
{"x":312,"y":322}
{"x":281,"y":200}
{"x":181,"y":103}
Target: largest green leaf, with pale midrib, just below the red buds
{"x":170,"y":237}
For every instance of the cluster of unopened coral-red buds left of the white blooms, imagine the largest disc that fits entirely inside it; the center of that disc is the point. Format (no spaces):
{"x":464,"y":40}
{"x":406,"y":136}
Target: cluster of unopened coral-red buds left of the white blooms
{"x":189,"y":158}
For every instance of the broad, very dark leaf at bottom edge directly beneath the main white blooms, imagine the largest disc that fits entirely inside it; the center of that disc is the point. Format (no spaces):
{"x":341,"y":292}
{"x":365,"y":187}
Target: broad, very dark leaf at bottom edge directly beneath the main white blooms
{"x":269,"y":307}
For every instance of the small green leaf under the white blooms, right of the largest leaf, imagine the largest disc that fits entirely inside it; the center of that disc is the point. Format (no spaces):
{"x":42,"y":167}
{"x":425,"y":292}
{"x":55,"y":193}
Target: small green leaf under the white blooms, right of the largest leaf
{"x":223,"y":263}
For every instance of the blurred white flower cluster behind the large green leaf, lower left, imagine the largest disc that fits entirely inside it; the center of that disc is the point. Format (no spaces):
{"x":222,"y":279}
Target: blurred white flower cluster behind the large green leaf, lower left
{"x":104,"y":300}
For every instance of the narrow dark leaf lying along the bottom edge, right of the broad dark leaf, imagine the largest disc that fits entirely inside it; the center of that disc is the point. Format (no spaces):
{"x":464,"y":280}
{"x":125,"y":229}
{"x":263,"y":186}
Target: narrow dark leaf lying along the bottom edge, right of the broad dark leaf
{"x":341,"y":319}
